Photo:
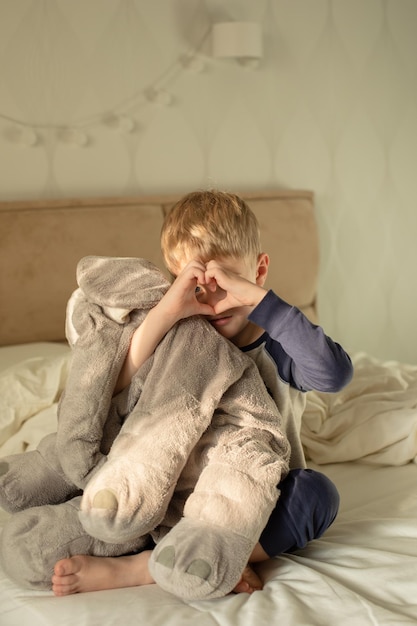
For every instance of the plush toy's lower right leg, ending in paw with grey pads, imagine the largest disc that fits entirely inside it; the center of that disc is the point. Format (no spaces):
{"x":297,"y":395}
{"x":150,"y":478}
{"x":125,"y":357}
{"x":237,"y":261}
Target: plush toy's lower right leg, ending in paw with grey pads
{"x":204,"y":555}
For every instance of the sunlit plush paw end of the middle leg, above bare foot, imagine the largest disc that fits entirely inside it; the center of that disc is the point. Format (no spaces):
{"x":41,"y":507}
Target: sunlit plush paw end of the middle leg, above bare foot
{"x":116,"y":509}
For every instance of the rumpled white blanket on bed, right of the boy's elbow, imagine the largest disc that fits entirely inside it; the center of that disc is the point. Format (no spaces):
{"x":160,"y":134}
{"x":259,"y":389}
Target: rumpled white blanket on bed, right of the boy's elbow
{"x":373,"y":419}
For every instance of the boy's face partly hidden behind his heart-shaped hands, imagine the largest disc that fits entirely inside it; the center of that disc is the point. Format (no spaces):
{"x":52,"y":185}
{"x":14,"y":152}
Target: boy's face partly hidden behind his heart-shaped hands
{"x":231,"y":323}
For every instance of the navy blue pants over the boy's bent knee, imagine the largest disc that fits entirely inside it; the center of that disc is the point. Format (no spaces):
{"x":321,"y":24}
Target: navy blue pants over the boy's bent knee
{"x":306,"y":507}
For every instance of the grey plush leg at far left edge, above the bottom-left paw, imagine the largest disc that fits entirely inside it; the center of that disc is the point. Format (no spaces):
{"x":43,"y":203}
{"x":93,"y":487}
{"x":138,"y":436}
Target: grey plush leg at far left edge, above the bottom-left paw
{"x":34,"y":478}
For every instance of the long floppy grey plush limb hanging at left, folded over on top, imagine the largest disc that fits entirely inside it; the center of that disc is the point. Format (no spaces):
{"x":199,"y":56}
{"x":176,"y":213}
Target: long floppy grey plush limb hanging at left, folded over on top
{"x":114,"y":297}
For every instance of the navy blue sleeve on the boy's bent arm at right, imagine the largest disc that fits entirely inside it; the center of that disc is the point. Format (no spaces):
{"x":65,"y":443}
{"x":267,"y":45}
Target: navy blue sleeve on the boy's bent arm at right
{"x":309,"y":359}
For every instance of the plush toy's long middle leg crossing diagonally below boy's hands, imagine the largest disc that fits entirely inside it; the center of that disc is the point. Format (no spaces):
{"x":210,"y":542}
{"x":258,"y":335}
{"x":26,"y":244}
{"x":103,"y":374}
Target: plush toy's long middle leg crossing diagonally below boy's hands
{"x":129,"y":495}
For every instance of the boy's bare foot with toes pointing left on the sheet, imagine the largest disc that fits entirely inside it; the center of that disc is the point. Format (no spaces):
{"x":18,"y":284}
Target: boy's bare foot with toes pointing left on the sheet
{"x":94,"y":573}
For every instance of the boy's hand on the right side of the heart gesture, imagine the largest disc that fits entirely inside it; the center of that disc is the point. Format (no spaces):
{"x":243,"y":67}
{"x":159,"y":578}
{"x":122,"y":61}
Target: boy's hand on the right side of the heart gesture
{"x":237,"y":290}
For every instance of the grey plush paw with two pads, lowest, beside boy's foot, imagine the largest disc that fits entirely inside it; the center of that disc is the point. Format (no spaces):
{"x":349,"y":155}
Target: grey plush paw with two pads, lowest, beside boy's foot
{"x":197,"y":561}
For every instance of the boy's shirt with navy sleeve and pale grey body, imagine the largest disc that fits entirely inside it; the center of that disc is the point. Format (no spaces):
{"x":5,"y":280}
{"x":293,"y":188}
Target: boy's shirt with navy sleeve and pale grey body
{"x":294,"y":356}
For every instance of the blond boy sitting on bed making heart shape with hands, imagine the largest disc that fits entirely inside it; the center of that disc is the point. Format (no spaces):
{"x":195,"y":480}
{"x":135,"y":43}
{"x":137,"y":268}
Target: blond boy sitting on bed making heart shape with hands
{"x":210,"y":242}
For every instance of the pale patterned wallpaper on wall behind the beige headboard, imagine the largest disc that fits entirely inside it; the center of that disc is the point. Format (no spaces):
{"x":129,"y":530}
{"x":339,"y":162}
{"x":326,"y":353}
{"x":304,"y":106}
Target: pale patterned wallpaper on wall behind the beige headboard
{"x":122,"y":96}
